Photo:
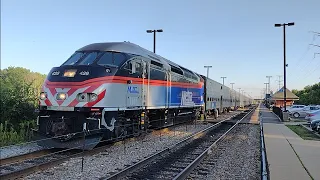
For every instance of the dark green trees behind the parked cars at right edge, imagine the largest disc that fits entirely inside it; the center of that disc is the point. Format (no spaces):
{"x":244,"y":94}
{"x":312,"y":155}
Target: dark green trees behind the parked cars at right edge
{"x":309,"y":95}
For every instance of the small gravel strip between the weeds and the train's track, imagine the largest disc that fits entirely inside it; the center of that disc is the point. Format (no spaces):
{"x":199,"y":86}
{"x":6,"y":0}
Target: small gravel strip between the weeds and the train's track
{"x":15,"y":150}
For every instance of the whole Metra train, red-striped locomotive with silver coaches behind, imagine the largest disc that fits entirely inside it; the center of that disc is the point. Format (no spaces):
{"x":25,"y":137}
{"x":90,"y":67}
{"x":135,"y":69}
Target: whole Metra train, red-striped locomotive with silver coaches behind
{"x":106,"y":91}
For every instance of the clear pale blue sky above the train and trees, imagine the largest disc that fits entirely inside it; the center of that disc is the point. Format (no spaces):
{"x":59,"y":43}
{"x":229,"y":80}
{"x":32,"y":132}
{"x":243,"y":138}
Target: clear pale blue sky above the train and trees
{"x":237,"y":38}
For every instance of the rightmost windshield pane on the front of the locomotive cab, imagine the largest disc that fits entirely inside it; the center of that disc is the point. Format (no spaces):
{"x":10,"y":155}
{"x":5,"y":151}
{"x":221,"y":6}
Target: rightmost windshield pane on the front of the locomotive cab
{"x":111,"y":58}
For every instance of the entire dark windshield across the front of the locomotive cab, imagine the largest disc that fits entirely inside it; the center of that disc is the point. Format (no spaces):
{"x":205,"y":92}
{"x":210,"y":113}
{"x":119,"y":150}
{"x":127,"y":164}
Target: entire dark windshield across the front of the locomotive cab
{"x":100,"y":58}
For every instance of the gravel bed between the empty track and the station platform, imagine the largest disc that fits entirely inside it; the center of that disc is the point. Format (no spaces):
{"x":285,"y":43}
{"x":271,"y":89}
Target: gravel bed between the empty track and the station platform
{"x":236,"y":157}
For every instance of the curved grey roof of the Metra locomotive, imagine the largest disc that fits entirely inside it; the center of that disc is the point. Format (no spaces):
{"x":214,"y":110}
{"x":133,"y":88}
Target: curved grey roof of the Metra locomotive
{"x":128,"y":47}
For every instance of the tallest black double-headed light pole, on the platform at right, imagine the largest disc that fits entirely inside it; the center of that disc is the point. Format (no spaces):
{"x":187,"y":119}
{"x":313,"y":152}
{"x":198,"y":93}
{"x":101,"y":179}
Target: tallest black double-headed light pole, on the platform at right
{"x":284,"y":61}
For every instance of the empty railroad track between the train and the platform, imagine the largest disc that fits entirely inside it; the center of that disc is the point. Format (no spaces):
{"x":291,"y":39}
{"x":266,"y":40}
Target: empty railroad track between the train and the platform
{"x":179,"y":160}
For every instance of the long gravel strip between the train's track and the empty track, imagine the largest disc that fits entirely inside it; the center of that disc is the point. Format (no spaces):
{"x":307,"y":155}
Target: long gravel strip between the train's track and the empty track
{"x":119,"y":155}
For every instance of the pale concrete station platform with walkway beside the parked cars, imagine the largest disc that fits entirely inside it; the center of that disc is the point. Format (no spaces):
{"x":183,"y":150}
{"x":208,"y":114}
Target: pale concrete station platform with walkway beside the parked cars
{"x":288,"y":155}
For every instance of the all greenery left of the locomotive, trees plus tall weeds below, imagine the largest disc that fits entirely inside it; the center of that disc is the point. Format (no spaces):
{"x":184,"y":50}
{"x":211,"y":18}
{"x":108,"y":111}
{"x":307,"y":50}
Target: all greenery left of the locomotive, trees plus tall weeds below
{"x":19,"y":91}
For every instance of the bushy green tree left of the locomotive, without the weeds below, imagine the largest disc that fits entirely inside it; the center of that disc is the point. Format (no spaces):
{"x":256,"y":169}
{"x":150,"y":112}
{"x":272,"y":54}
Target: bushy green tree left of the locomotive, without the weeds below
{"x":19,"y":88}
